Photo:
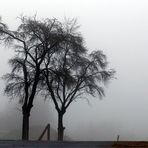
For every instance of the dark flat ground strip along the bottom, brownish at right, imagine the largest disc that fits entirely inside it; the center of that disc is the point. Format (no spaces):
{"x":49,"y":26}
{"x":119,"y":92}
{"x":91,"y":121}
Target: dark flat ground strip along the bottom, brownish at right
{"x":71,"y":144}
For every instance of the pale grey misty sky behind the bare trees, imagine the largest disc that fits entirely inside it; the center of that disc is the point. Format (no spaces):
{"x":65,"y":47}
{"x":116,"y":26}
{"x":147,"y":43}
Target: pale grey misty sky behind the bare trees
{"x":120,"y":29}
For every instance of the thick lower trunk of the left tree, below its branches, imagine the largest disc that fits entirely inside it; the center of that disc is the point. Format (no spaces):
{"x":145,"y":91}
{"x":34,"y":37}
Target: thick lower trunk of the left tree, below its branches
{"x":25,"y":127}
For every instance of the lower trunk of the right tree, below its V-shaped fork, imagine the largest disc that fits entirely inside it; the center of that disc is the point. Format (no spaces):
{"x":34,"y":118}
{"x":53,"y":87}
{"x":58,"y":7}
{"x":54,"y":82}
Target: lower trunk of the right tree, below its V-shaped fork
{"x":60,"y":127}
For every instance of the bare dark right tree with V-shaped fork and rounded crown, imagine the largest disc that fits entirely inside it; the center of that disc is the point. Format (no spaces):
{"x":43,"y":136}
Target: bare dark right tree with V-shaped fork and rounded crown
{"x":72,"y":72}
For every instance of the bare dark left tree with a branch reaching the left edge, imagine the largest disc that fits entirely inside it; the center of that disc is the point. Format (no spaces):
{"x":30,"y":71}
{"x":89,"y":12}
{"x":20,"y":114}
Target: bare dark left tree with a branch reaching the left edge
{"x":32,"y":40}
